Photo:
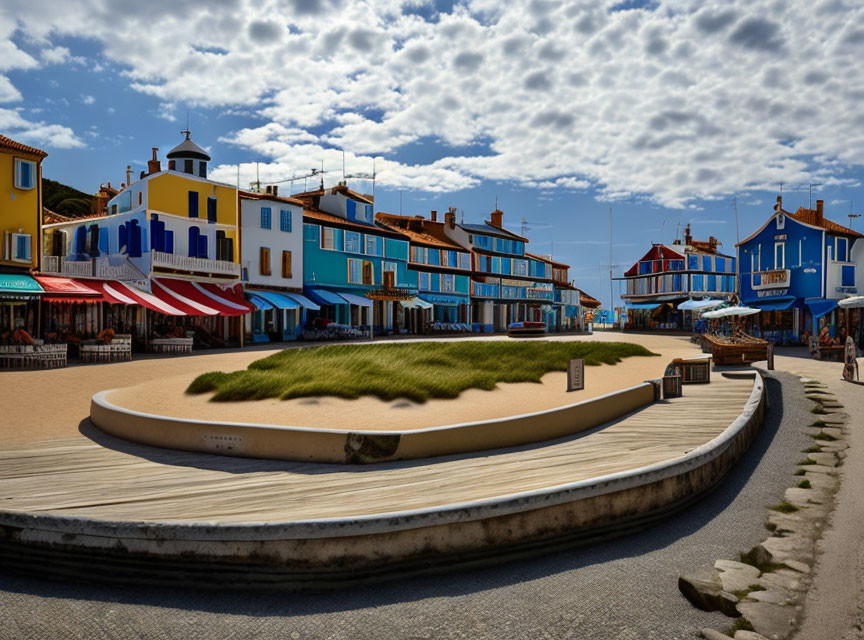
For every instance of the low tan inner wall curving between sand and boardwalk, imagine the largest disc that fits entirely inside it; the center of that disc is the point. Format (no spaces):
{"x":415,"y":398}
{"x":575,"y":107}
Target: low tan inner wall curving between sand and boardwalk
{"x":342,"y":446}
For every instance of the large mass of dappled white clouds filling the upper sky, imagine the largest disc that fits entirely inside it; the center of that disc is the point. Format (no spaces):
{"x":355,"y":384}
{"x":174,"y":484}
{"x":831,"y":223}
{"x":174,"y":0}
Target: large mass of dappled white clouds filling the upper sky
{"x":677,"y":102}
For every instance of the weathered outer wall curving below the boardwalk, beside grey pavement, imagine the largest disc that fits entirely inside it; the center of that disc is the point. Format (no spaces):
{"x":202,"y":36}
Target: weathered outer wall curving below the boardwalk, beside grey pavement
{"x":324,"y":553}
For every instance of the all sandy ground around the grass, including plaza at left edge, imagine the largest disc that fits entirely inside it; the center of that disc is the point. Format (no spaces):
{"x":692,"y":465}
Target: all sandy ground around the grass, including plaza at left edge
{"x":38,"y":405}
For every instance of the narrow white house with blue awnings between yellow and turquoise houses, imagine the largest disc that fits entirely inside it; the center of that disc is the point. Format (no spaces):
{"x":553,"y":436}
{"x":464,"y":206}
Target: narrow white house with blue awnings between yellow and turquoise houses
{"x":271,"y":257}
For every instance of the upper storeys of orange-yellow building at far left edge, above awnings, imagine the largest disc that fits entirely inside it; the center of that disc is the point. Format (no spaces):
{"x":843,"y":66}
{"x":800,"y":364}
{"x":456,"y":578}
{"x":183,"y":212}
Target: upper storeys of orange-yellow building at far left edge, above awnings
{"x":21,"y":208}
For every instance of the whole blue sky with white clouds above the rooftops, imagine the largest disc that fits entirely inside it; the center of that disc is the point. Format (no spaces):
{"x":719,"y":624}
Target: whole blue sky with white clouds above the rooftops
{"x":663,"y":110}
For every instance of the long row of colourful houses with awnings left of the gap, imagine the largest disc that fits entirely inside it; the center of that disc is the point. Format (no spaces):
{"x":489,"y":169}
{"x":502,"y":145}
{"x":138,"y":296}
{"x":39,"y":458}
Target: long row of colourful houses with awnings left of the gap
{"x":175,"y":252}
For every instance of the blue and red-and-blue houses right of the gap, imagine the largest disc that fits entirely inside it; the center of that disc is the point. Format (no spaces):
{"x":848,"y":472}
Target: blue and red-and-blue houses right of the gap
{"x":796,"y":269}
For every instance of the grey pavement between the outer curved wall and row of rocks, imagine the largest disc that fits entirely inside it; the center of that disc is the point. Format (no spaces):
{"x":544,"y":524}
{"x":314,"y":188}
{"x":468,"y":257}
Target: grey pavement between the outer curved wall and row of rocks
{"x":622,"y":589}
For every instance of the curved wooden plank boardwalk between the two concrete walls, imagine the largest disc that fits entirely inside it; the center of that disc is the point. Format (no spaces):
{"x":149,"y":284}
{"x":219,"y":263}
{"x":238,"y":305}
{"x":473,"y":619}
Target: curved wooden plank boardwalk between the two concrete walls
{"x":110,"y":479}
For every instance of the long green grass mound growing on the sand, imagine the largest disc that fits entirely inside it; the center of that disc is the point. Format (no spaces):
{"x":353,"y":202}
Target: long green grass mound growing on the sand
{"x":416,"y":371}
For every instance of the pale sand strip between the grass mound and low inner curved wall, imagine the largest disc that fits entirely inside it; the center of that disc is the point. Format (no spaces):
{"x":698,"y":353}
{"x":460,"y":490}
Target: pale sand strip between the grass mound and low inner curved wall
{"x":165,"y":396}
